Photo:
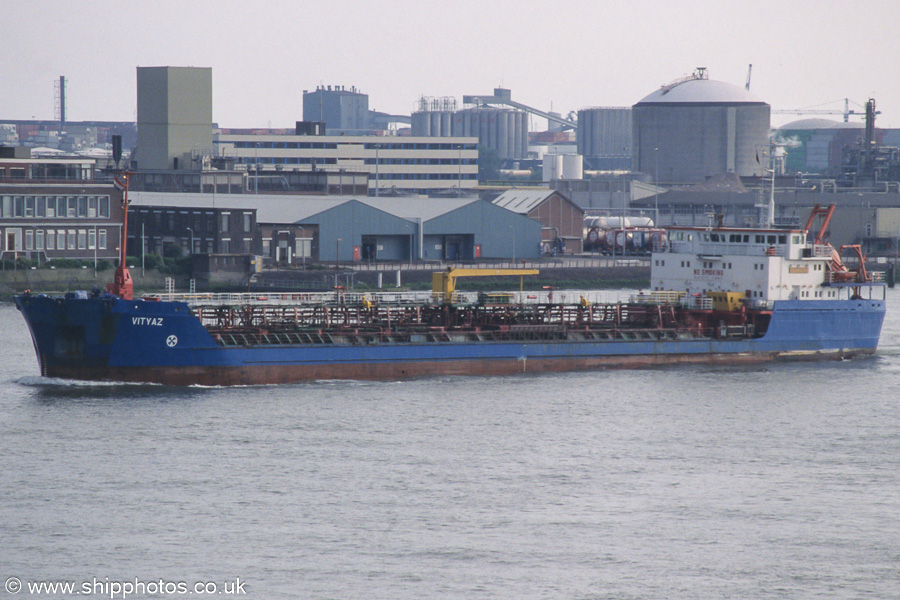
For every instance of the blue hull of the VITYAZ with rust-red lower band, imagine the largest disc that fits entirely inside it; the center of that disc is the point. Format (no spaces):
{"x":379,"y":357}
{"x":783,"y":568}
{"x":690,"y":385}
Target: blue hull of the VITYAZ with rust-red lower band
{"x":110,"y":339}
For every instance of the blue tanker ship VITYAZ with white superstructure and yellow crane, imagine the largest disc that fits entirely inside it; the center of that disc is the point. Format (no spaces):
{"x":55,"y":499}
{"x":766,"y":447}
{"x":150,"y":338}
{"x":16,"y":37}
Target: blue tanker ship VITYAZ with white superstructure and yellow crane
{"x":718,"y":295}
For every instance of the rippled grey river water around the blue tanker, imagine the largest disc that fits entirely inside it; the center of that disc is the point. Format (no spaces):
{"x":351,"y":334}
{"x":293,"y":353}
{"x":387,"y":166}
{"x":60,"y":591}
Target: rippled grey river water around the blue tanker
{"x":775,"y":481}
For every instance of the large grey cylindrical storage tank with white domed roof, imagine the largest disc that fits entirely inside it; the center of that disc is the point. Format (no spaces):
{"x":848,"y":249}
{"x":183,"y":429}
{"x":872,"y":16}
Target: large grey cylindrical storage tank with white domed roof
{"x":695,"y":128}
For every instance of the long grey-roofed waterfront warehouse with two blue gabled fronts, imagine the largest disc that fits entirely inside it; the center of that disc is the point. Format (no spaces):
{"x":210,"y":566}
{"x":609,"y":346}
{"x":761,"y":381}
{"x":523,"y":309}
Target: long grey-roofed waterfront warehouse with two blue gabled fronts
{"x":297,"y":229}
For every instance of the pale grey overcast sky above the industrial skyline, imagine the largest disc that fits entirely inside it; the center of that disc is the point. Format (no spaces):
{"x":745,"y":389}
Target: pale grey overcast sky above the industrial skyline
{"x":564,"y":55}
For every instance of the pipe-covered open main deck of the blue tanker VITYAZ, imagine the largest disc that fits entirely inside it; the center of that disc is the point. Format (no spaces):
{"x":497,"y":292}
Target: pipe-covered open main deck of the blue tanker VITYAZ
{"x":339,"y":320}
